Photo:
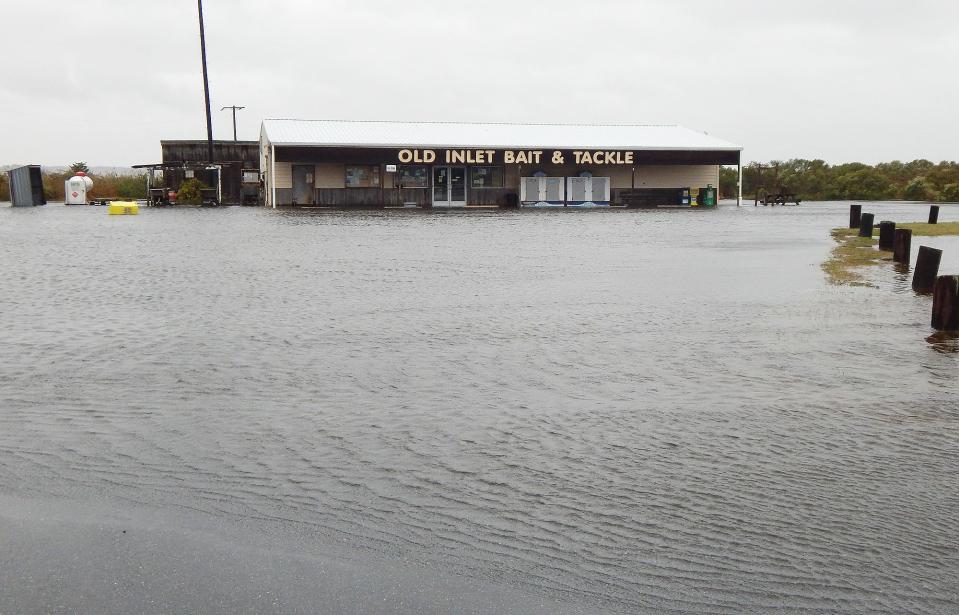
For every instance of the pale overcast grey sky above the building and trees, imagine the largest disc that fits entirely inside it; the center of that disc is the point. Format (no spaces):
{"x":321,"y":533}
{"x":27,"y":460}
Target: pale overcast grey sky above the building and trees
{"x":844,"y":80}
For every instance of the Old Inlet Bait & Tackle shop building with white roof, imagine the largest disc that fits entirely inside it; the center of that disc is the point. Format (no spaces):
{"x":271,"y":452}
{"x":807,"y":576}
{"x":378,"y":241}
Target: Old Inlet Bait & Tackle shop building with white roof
{"x":326,"y":163}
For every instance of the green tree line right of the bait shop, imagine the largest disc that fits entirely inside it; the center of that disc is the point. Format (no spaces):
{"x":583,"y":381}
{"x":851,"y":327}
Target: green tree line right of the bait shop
{"x":816,"y":180}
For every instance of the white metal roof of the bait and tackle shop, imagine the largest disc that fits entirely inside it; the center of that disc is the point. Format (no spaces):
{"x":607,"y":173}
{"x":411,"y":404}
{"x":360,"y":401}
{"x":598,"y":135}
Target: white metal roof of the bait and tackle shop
{"x":346,"y":133}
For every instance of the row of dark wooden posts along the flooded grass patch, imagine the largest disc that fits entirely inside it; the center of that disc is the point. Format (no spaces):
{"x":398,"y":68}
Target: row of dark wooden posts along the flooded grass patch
{"x":925,"y":277}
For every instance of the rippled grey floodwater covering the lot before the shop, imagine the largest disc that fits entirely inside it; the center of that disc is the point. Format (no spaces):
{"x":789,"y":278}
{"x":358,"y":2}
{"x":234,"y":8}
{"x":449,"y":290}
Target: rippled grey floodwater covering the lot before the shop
{"x":623,"y":411}
